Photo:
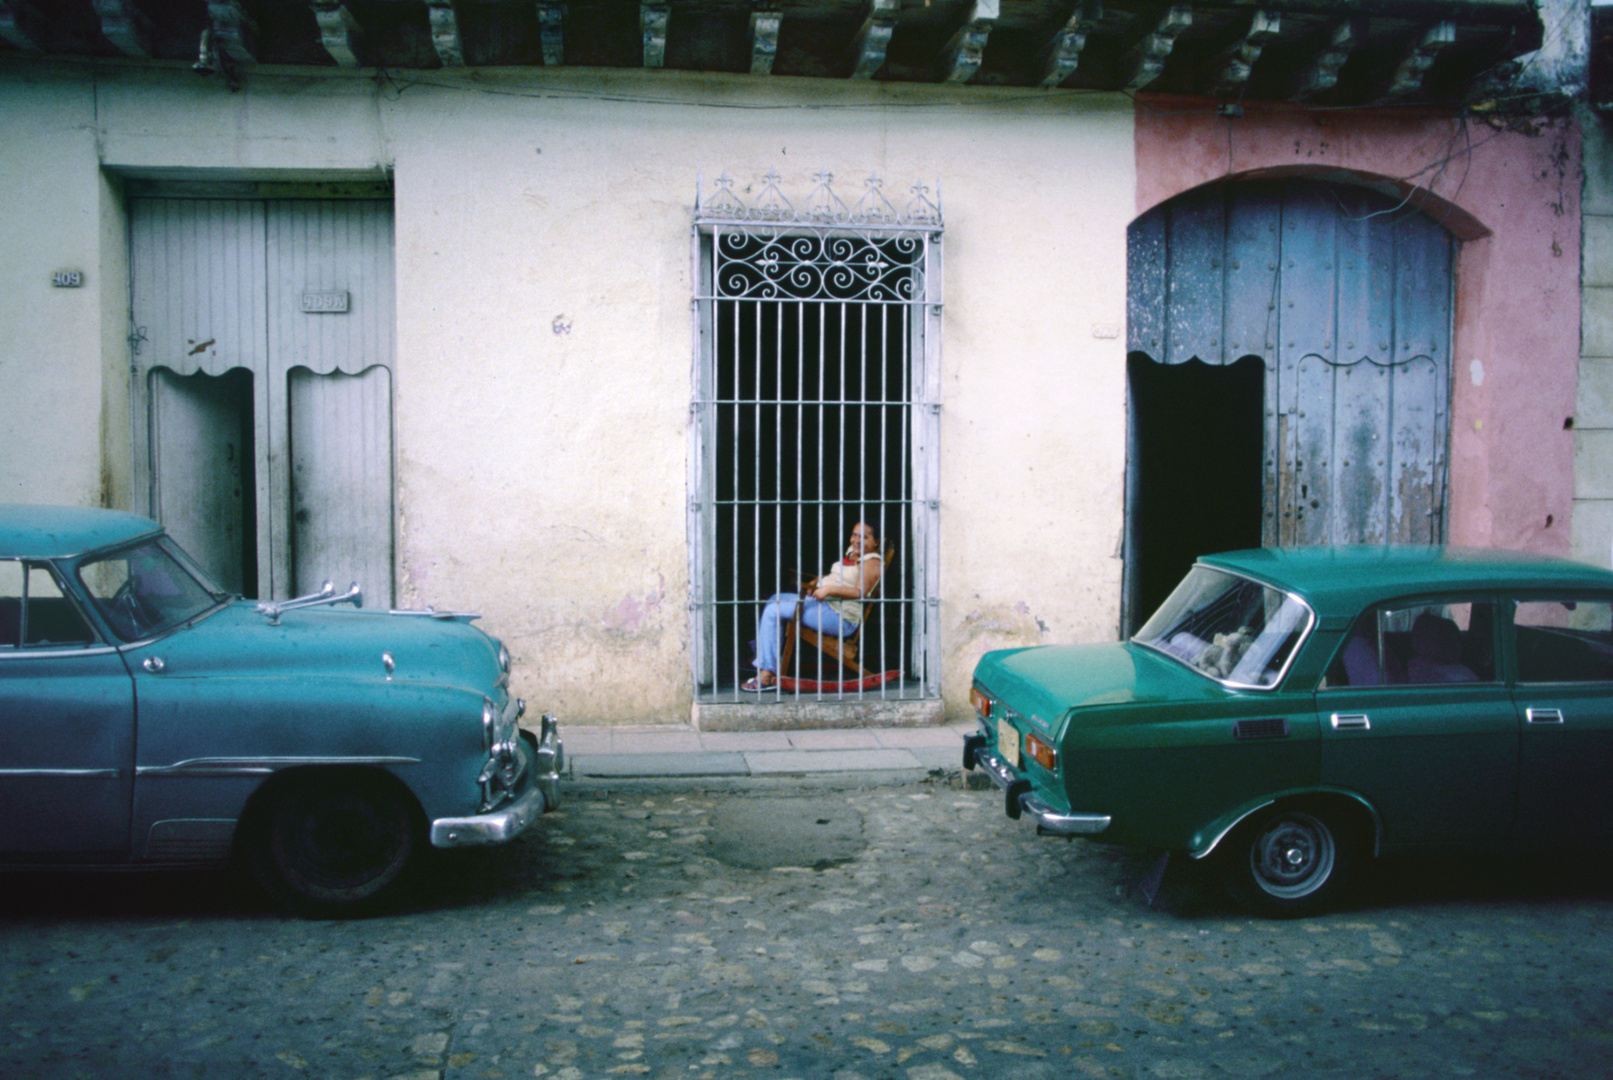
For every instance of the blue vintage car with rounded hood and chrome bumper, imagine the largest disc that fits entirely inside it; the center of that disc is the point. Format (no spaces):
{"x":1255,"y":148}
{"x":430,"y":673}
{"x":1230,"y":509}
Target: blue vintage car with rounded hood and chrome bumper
{"x":148,"y":718}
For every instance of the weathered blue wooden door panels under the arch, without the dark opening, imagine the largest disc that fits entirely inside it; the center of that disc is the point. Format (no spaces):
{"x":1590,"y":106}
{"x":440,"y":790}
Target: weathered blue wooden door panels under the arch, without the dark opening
{"x":1346,"y":296}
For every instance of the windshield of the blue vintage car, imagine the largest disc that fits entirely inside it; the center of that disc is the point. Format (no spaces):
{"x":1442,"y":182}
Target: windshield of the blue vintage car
{"x":148,"y":589}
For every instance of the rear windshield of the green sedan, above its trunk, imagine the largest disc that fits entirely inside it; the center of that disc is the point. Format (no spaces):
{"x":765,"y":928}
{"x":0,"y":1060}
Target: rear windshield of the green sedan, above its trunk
{"x":1230,"y":628}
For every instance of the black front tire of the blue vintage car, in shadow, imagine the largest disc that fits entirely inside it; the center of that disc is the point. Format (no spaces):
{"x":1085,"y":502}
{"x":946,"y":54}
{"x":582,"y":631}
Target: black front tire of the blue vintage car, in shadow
{"x":335,"y":845}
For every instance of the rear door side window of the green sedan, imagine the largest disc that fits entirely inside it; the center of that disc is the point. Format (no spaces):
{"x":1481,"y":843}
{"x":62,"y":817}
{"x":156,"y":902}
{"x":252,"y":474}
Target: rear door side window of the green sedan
{"x":1419,"y":646}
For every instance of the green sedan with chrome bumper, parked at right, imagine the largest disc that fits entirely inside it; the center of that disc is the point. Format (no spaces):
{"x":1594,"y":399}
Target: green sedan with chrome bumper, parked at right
{"x":1291,"y":713}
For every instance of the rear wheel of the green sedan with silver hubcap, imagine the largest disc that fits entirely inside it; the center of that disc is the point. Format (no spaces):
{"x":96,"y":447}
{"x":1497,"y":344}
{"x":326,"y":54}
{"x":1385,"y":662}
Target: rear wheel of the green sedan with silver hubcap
{"x":1290,"y":862}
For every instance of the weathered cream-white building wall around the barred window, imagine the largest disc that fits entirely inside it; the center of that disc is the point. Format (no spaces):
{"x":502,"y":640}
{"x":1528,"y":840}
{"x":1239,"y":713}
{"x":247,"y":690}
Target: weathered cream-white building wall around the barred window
{"x":544,"y":341}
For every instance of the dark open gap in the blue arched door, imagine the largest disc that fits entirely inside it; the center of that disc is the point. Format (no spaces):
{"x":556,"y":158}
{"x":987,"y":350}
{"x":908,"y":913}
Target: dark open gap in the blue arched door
{"x":1194,"y":475}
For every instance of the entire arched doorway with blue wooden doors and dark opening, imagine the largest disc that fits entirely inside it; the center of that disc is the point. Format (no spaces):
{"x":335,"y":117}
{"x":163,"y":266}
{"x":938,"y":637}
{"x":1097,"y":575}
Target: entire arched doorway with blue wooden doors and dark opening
{"x":1344,"y":296}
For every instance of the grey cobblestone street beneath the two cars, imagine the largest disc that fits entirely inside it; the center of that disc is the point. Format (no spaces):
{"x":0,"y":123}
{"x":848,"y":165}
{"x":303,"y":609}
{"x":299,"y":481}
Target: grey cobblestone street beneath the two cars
{"x":907,"y":933}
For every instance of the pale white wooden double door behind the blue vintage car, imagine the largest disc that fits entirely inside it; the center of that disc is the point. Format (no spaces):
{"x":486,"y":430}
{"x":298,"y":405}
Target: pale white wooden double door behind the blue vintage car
{"x":298,"y":294}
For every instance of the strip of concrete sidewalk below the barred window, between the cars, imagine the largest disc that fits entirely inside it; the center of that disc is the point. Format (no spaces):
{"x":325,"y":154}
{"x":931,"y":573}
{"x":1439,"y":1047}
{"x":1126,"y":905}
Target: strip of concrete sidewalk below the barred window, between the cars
{"x":664,"y":755}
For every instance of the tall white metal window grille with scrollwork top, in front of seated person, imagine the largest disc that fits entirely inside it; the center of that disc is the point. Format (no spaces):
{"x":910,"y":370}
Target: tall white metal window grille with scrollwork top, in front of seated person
{"x":817,"y":407}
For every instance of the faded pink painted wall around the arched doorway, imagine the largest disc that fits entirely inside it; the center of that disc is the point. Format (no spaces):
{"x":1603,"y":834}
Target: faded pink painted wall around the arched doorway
{"x":1512,"y":199}
